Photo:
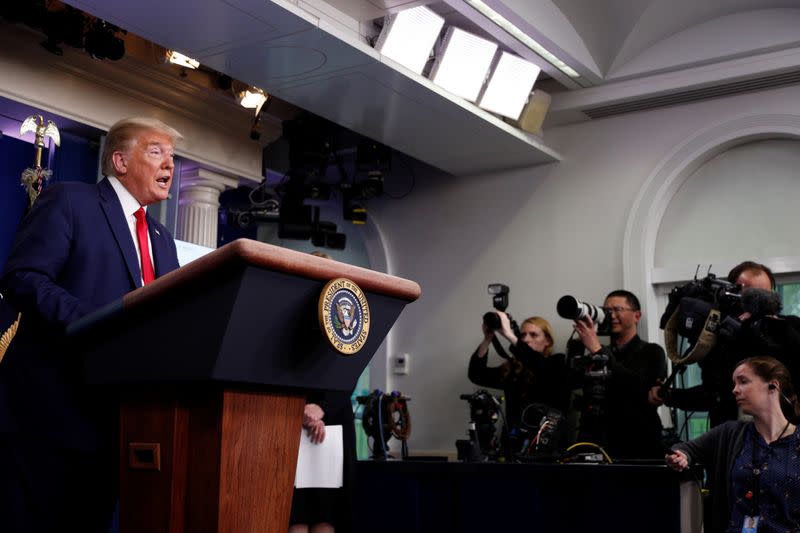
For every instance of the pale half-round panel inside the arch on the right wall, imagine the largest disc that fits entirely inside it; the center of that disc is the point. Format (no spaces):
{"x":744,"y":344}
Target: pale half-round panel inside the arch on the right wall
{"x":755,"y":185}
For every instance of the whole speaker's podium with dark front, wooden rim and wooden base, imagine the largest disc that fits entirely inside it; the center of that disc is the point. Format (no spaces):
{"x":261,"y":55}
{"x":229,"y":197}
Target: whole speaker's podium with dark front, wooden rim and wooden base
{"x":213,"y":363}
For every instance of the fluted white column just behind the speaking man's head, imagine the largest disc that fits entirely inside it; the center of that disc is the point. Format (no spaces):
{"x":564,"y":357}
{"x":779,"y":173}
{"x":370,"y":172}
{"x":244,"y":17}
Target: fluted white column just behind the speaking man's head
{"x":198,"y":205}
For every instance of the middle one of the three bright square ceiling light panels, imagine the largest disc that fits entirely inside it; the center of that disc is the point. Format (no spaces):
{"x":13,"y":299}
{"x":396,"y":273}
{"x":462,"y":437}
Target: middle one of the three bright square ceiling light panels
{"x":462,"y":63}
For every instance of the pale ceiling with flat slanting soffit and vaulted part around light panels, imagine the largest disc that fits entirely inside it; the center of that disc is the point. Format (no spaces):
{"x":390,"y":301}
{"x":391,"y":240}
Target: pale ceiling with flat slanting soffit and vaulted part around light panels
{"x":315,"y":55}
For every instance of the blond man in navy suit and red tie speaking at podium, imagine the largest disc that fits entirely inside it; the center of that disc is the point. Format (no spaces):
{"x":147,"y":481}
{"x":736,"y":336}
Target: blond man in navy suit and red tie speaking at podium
{"x":80,"y":247}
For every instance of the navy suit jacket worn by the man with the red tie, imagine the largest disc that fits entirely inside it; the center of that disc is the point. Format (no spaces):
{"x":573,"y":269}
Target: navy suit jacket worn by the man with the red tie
{"x":72,"y":254}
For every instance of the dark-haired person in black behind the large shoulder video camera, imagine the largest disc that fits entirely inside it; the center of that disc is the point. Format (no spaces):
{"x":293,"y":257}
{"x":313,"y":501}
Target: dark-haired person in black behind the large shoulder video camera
{"x":751,"y":327}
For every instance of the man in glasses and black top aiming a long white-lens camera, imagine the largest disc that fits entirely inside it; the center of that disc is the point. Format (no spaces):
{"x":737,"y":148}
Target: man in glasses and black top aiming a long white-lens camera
{"x":627,"y":423}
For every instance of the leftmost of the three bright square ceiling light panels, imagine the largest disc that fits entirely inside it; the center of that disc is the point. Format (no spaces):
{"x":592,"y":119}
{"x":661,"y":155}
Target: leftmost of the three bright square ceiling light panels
{"x":408,"y":37}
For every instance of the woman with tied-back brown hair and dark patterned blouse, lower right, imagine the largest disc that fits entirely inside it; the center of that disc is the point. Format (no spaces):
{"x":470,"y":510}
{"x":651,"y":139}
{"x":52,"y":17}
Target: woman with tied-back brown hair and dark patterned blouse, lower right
{"x":756,"y":464}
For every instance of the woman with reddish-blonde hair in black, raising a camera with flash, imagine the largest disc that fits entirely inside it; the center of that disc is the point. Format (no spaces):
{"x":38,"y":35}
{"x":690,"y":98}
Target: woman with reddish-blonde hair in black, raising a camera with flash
{"x":533,"y":373}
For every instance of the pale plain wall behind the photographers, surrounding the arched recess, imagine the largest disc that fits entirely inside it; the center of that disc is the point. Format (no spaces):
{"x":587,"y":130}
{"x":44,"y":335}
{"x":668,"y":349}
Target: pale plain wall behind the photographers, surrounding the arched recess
{"x":547,"y":231}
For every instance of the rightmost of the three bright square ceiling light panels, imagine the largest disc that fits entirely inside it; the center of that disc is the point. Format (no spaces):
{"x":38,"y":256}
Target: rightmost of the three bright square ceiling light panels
{"x":509,"y":86}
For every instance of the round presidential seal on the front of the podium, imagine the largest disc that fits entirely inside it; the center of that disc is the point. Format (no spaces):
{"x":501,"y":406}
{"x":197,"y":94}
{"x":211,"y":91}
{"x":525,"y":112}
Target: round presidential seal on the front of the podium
{"x":344,"y":315}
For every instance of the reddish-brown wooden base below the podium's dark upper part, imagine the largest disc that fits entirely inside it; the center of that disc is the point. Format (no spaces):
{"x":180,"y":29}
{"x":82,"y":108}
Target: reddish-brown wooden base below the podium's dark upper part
{"x":220,"y":461}
